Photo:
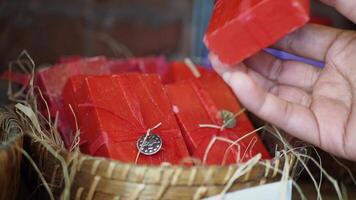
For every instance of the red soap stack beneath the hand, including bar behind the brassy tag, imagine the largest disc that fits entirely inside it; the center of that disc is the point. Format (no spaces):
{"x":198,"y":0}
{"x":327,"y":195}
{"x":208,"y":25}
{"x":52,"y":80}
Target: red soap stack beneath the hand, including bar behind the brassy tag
{"x":198,"y":101}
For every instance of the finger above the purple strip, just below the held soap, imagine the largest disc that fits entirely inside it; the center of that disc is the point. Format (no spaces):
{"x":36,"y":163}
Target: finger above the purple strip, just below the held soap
{"x":311,"y":41}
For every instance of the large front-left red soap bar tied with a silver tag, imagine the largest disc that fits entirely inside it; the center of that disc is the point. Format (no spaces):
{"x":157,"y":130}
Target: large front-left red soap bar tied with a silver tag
{"x":113,"y":112}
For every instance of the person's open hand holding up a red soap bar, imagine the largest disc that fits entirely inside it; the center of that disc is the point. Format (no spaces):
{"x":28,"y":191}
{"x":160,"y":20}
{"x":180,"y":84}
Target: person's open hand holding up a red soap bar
{"x":315,"y":105}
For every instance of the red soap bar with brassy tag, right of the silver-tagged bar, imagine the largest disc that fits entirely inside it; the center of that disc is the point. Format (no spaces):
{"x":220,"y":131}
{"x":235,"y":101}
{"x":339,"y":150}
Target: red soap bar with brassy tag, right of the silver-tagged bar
{"x":194,"y":106}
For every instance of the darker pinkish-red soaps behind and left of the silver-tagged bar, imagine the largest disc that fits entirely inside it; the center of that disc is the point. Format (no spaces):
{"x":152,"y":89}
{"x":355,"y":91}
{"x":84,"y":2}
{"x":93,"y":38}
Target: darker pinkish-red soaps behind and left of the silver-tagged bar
{"x":52,"y":80}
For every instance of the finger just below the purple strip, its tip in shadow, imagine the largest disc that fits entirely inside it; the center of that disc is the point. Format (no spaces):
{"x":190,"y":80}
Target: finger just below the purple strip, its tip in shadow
{"x":292,"y":73}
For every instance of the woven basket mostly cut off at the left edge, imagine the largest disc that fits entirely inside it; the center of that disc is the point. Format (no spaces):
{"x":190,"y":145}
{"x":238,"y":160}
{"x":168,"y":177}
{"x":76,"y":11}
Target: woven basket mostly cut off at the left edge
{"x":10,"y":156}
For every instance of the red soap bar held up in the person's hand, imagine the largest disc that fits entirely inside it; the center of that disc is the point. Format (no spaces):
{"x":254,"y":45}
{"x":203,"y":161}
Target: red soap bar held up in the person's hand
{"x":240,"y":28}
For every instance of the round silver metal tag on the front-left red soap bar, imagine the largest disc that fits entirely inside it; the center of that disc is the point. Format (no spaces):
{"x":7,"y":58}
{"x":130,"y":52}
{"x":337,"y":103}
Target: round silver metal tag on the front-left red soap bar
{"x":150,"y":146}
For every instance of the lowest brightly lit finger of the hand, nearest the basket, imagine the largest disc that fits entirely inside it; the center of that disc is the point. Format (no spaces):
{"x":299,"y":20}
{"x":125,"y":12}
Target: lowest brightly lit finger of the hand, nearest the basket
{"x":295,"y":119}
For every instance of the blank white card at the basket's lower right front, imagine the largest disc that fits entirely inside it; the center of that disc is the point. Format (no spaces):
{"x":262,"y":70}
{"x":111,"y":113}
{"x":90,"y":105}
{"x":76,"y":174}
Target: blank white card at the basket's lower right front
{"x":272,"y":191}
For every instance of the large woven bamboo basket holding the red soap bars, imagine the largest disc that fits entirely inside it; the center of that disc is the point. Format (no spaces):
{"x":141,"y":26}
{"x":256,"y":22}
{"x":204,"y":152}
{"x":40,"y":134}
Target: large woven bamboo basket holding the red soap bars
{"x":73,"y":175}
